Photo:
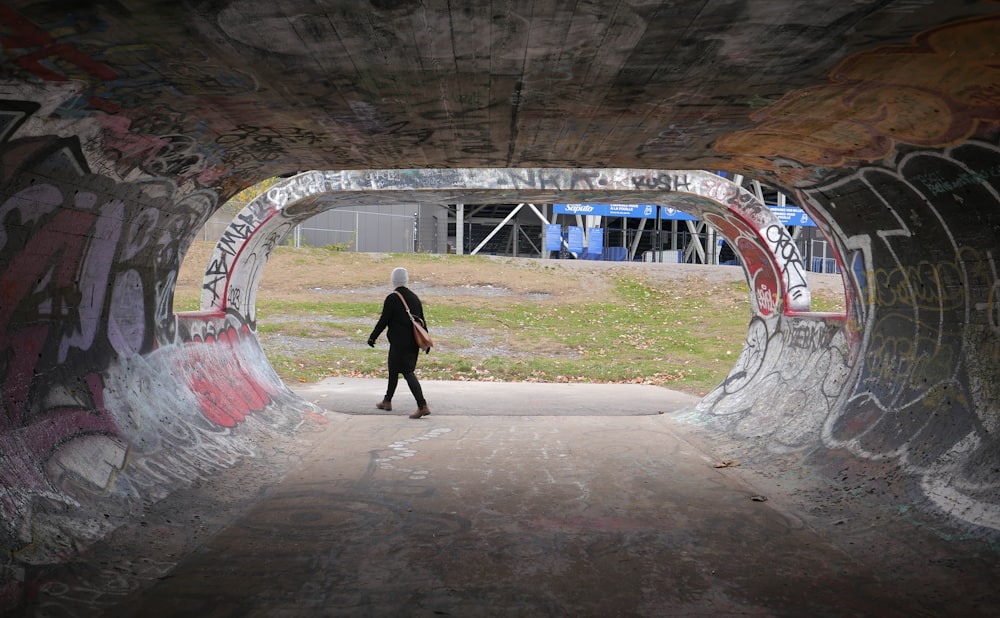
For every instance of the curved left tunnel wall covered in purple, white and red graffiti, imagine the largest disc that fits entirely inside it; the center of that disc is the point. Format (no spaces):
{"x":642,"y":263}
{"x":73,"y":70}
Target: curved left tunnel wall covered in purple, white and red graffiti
{"x":109,"y":400}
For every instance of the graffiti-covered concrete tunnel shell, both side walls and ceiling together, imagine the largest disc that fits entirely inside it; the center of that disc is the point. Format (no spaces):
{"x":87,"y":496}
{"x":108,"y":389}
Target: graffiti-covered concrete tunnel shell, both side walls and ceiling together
{"x":124,"y":126}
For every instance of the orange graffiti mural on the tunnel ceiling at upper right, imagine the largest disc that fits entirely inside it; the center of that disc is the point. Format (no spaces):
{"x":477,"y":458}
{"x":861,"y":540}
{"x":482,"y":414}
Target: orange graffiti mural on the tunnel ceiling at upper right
{"x":938,"y":91}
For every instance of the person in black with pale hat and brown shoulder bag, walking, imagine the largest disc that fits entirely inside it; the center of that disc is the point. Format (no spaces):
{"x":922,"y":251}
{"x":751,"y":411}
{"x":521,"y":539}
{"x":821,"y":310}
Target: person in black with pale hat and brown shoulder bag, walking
{"x":403,"y":350}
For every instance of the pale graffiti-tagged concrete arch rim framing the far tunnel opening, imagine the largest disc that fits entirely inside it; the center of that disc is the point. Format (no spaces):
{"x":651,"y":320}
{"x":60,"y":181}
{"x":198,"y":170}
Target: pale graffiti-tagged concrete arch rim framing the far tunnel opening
{"x":774,"y":271}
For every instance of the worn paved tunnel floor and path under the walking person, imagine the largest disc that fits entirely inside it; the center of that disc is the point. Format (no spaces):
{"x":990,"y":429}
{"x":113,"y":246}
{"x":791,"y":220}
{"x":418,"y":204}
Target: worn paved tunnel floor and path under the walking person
{"x":512,"y":500}
